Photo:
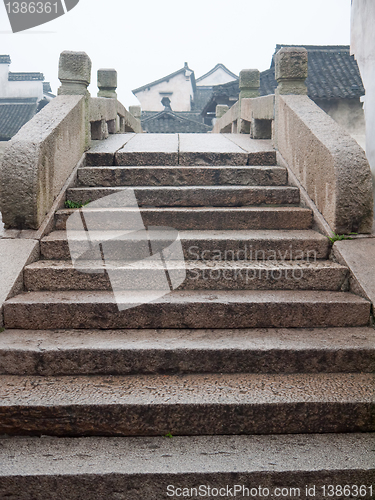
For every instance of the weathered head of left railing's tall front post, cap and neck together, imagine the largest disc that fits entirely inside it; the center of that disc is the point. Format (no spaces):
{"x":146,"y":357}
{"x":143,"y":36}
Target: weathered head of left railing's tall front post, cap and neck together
{"x":74,"y":73}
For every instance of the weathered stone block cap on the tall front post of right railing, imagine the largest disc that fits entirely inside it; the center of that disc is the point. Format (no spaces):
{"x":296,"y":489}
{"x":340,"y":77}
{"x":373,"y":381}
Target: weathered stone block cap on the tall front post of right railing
{"x":291,"y":63}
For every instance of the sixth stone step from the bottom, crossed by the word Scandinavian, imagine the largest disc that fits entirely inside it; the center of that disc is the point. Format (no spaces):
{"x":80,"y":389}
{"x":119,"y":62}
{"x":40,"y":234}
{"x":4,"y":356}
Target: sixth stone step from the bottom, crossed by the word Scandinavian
{"x":262,"y":245}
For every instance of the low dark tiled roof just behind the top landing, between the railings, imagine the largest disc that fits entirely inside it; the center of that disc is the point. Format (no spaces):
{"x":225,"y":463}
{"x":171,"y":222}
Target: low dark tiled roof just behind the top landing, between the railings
{"x":168,"y":121}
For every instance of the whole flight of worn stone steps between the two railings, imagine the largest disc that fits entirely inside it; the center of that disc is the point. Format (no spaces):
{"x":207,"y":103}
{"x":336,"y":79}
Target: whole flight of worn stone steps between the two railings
{"x":260,"y":364}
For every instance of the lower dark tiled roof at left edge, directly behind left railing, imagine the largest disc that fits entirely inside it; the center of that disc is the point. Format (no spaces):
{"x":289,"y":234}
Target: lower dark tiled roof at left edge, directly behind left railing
{"x":14,"y":113}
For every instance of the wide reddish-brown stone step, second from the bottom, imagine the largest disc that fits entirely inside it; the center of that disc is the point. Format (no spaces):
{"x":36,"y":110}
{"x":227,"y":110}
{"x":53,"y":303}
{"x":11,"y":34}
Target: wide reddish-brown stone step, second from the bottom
{"x":189,"y":404}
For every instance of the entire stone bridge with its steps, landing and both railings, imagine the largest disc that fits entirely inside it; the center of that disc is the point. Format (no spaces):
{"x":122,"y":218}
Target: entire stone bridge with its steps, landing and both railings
{"x":186,"y":285}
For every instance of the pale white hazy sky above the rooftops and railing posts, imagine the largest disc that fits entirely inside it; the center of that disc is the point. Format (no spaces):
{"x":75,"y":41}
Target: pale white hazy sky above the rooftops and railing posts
{"x":146,"y":40}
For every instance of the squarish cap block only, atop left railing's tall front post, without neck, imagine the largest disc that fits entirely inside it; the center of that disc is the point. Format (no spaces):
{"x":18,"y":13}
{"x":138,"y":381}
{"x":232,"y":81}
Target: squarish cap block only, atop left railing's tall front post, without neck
{"x":75,"y":67}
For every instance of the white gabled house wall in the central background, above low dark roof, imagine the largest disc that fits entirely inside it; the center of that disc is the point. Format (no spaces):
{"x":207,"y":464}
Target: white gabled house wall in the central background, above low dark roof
{"x":181,"y":88}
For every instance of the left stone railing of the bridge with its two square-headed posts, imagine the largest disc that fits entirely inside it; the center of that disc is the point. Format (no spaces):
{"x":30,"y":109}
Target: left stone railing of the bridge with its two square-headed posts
{"x":41,"y":157}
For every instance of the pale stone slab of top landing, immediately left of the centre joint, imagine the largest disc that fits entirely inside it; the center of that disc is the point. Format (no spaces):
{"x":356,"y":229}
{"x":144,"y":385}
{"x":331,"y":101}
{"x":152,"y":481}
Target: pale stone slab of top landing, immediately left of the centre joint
{"x":149,"y":149}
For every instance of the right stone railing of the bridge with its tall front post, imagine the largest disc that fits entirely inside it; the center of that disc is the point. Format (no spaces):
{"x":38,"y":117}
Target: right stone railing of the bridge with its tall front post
{"x":323,"y":159}
